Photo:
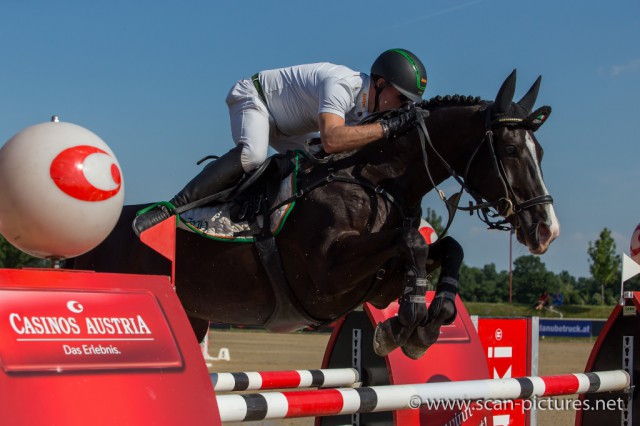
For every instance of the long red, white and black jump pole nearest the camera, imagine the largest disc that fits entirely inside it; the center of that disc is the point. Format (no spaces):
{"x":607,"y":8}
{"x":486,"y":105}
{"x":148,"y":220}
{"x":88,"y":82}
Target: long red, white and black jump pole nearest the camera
{"x":327,"y":402}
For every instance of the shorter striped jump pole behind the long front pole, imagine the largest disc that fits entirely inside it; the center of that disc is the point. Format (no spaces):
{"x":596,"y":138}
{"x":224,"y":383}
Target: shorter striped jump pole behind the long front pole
{"x":267,"y":380}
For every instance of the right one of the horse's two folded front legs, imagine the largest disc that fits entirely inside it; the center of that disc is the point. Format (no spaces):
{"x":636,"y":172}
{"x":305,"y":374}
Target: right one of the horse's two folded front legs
{"x":442,"y":310}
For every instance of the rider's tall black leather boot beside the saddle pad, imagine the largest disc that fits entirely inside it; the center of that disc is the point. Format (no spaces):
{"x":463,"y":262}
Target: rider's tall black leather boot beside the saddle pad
{"x":214,"y":178}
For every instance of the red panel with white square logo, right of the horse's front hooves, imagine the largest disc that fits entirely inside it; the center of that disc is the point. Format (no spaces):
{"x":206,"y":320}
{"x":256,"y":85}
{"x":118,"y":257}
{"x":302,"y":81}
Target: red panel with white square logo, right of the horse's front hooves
{"x":507,"y":343}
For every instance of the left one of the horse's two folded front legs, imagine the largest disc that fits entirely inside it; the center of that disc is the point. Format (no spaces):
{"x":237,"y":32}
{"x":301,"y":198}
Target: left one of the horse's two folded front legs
{"x":412,"y":312}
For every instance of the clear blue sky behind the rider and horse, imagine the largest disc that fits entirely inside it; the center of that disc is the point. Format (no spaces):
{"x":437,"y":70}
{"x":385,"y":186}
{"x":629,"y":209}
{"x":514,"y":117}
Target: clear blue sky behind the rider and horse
{"x":150,"y":78}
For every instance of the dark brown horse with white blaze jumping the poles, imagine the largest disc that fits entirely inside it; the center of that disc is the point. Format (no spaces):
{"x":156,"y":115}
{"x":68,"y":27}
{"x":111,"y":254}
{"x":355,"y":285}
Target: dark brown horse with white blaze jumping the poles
{"x":353,"y":236}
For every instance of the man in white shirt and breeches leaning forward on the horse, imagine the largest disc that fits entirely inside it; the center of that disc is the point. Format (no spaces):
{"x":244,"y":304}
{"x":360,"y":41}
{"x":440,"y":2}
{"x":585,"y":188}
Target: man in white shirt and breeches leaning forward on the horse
{"x":283,"y":107}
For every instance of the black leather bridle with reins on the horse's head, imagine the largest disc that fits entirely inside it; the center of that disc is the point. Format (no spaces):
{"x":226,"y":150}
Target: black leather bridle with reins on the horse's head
{"x":487,"y":211}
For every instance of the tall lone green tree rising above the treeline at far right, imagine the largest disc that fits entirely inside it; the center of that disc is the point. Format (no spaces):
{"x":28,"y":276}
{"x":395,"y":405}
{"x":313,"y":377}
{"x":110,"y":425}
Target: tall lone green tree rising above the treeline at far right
{"x":604,"y":263}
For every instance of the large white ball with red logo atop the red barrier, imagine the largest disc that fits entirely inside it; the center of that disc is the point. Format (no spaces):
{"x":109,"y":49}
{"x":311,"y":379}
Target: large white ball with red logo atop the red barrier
{"x":61,"y":190}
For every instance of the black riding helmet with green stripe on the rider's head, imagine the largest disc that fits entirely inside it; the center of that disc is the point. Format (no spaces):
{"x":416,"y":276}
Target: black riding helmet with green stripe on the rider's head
{"x":403,"y":70}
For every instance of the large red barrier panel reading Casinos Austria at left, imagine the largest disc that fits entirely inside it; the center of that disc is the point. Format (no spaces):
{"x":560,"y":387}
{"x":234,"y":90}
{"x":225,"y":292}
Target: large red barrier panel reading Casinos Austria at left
{"x":100,"y":349}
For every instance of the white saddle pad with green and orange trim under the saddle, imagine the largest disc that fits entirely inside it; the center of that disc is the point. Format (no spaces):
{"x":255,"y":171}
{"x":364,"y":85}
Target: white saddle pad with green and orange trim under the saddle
{"x":215,"y":222}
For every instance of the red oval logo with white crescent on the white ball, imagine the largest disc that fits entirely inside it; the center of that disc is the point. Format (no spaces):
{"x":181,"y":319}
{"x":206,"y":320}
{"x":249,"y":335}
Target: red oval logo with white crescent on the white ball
{"x":73,"y":174}
